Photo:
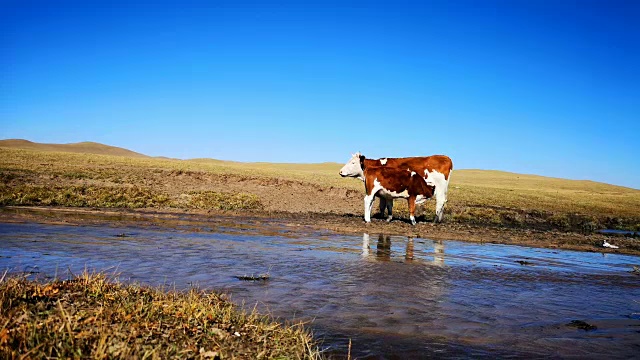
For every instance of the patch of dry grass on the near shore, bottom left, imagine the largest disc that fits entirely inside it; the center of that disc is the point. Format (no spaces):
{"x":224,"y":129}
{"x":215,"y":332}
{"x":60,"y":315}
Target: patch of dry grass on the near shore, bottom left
{"x":91,"y":316}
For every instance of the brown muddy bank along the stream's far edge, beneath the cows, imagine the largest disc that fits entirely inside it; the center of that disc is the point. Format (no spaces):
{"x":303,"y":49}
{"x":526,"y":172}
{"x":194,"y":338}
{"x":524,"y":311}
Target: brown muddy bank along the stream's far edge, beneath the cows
{"x":339,"y":223}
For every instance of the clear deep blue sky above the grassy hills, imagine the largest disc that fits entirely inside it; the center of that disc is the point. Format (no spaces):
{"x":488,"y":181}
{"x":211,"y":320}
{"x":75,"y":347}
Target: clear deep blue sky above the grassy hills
{"x":531,"y":86}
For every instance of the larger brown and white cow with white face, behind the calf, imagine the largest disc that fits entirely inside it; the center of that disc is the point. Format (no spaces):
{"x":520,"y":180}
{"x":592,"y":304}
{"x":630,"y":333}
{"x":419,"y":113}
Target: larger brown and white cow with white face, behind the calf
{"x":435,"y":169}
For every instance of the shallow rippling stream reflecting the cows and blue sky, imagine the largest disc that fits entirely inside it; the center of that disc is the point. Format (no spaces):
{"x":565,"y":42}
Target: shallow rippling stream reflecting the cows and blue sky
{"x":392,"y":297}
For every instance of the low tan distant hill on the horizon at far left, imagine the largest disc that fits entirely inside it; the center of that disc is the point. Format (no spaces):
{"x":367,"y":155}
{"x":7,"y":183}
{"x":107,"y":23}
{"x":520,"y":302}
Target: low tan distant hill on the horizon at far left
{"x":85,"y":147}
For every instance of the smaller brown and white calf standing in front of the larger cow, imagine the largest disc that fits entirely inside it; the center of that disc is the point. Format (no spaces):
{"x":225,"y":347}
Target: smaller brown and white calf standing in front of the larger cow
{"x":390,"y":183}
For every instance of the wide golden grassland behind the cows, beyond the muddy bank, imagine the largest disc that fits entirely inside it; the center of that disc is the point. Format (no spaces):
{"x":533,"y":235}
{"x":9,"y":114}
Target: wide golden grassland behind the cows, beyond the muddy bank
{"x":34,"y":177}
